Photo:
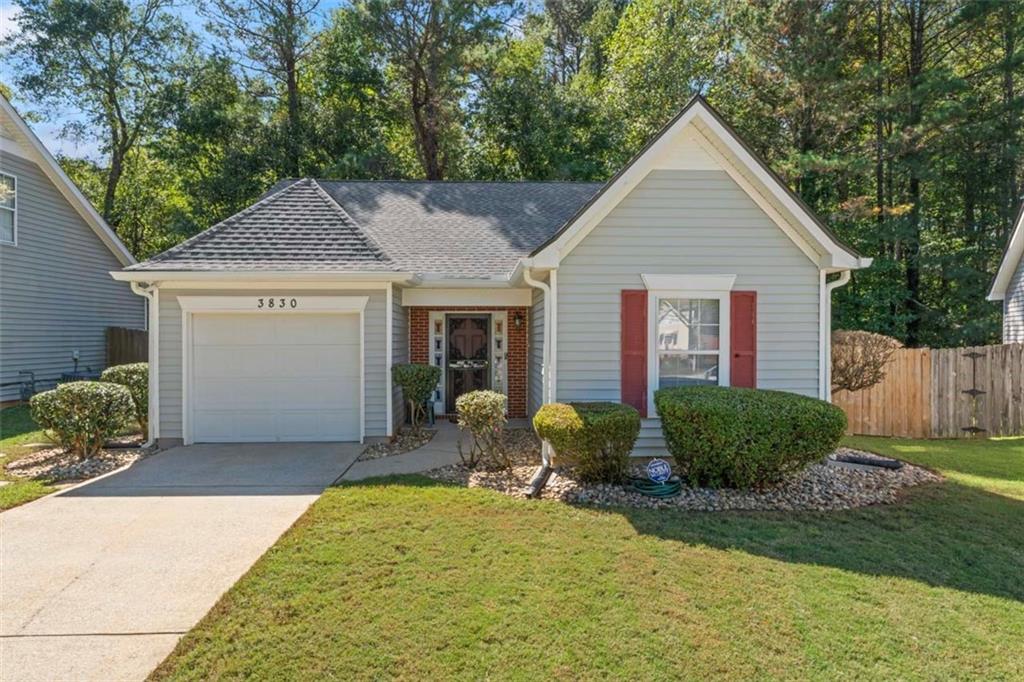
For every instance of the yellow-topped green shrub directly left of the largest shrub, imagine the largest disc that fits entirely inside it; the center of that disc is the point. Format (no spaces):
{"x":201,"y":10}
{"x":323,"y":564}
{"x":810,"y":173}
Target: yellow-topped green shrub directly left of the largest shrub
{"x":595,"y":438}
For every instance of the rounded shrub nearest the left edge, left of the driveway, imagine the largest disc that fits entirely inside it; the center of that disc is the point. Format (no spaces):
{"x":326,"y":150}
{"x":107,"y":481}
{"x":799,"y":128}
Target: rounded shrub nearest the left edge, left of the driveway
{"x":82,"y":415}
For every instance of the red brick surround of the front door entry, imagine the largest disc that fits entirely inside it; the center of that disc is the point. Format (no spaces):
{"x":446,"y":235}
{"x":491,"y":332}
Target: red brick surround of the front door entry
{"x":419,"y":347}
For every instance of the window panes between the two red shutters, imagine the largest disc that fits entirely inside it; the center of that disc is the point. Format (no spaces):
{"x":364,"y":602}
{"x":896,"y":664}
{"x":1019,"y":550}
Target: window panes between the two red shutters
{"x":689,"y":342}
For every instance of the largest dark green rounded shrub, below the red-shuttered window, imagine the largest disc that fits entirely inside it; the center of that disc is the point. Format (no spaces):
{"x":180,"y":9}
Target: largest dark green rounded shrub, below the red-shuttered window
{"x":744,"y":438}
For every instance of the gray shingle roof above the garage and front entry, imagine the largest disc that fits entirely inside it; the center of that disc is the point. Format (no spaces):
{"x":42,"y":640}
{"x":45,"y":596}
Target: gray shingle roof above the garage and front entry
{"x":456,"y":230}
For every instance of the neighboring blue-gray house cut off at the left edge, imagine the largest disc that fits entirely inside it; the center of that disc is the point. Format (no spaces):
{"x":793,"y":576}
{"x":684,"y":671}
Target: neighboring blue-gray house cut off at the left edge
{"x":57,"y":297}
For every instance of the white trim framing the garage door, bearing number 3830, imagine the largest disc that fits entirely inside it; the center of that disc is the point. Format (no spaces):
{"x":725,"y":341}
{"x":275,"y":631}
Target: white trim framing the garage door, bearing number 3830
{"x":241,"y":305}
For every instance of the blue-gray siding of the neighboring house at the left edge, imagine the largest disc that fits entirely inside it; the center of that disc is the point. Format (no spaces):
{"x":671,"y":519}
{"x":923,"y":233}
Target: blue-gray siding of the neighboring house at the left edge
{"x":57,"y":294}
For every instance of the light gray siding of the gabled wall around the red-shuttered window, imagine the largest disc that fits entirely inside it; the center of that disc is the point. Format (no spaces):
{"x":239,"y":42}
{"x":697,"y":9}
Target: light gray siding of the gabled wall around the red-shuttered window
{"x":682,"y":223}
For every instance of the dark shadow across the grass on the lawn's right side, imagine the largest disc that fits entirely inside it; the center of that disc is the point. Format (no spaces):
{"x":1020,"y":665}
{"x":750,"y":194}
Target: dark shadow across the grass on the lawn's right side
{"x":947,"y":536}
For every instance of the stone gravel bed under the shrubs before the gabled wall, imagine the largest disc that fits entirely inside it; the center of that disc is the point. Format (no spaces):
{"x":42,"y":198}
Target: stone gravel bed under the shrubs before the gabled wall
{"x":824,"y":487}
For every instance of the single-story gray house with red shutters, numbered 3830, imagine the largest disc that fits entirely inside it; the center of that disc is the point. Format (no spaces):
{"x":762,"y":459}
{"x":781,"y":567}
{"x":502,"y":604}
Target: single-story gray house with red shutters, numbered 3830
{"x":694,"y":266}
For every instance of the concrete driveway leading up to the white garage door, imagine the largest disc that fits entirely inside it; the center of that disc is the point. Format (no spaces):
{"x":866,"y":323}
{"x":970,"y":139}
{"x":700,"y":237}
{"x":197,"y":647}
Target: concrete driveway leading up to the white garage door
{"x":100,"y":582}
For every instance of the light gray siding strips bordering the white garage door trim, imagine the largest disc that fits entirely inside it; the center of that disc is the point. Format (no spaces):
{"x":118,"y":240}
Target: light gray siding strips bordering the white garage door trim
{"x":374,"y":354}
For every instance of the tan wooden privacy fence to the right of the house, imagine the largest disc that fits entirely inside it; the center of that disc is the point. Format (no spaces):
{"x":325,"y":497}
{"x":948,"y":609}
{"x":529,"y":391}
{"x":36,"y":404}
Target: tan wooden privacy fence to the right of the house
{"x":944,"y":394}
